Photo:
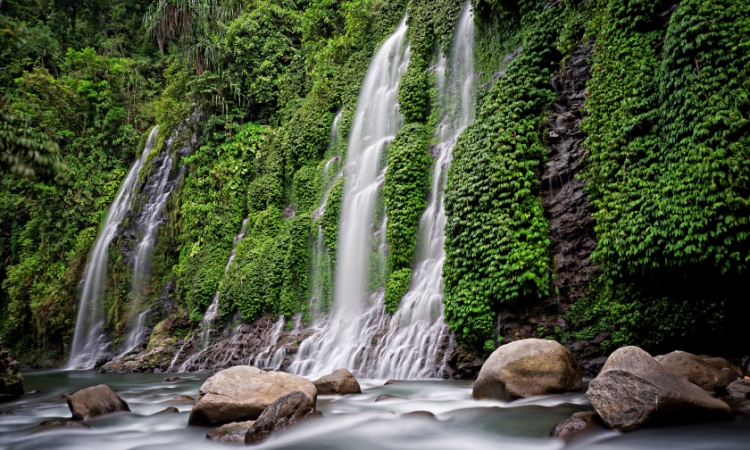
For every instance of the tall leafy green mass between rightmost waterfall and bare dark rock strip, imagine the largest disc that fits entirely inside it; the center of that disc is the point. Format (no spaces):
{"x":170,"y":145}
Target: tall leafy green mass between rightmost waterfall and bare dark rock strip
{"x":496,"y":233}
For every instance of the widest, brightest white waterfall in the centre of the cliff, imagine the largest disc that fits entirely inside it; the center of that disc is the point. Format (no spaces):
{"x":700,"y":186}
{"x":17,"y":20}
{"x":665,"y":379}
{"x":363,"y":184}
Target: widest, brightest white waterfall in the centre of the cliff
{"x":341,"y":341}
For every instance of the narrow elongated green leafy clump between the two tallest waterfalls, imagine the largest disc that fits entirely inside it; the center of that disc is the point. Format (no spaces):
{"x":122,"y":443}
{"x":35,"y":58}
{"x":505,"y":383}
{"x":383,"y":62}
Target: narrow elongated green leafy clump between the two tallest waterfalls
{"x":405,"y":193}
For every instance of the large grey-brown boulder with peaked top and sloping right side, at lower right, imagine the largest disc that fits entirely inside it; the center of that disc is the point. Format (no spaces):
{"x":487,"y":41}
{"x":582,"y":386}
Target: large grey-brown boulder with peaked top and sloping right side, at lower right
{"x":633,"y":390}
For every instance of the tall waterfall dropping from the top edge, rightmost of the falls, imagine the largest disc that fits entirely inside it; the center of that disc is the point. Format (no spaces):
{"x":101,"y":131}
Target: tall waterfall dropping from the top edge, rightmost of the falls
{"x":410,"y":348}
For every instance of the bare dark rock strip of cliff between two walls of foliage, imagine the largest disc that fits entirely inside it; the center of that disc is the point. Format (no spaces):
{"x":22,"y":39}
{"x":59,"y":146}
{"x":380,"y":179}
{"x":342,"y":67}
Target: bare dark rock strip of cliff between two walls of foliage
{"x":571,"y":225}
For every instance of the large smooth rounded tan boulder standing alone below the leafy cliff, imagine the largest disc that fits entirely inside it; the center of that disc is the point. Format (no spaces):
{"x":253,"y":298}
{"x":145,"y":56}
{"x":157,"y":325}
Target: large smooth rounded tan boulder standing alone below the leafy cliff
{"x":526,"y":368}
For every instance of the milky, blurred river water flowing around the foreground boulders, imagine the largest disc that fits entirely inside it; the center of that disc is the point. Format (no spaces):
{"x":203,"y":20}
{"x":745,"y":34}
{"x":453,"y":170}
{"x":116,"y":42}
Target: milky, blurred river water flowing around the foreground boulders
{"x":355,"y":422}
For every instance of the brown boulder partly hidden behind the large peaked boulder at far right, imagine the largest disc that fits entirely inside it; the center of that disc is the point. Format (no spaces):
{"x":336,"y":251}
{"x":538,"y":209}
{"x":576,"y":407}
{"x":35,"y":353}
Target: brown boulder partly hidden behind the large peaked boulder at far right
{"x":698,"y":371}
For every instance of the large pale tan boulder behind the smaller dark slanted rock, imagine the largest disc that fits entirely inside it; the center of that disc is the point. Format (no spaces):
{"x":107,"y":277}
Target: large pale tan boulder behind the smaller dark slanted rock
{"x":241,"y":393}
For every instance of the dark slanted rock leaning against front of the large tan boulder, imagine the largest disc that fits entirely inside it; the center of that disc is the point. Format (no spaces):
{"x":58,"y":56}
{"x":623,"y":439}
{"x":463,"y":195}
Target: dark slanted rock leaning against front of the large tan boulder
{"x":285,"y":412}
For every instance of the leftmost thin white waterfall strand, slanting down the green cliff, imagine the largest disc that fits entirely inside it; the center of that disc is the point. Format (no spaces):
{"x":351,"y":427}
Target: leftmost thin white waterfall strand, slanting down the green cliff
{"x":90,"y":343}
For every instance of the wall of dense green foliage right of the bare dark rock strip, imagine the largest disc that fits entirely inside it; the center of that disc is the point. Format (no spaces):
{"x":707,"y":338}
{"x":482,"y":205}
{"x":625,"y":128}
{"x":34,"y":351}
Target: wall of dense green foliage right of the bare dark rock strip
{"x":668,"y":169}
